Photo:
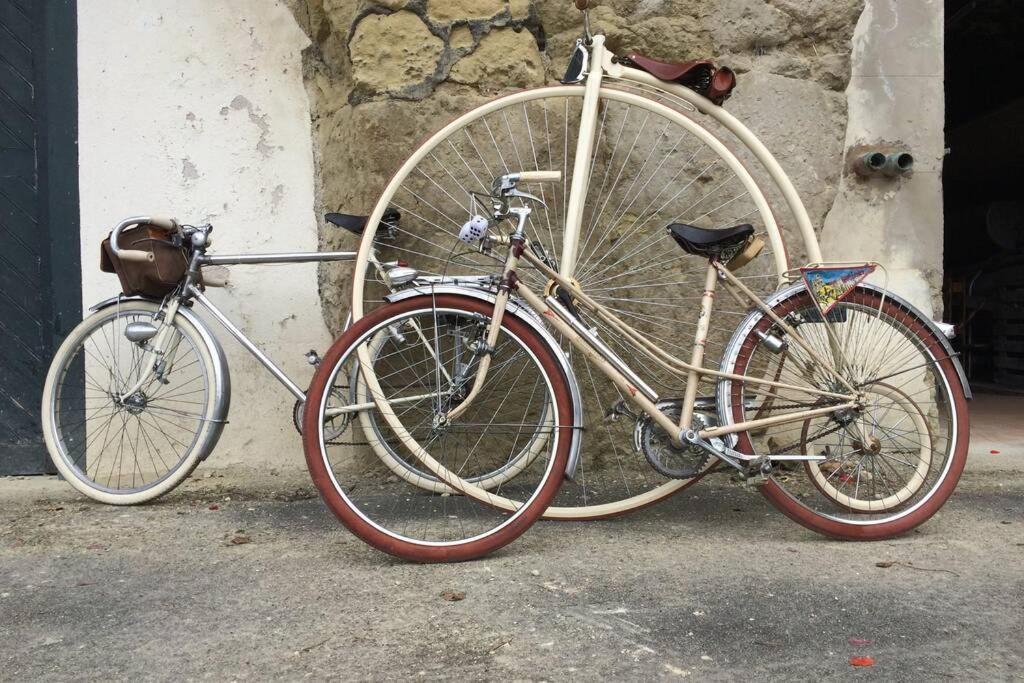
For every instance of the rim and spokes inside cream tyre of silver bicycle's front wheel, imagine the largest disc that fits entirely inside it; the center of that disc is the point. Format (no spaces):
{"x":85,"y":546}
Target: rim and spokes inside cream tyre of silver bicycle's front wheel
{"x":131,"y":447}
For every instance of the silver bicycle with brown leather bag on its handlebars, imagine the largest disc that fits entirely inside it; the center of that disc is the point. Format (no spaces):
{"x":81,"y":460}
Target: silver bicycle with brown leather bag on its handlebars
{"x":139,"y":394}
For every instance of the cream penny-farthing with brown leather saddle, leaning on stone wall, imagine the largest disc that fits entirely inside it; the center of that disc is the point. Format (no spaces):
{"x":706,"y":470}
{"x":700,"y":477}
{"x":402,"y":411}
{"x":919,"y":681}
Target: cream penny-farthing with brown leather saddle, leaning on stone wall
{"x":639,"y":145}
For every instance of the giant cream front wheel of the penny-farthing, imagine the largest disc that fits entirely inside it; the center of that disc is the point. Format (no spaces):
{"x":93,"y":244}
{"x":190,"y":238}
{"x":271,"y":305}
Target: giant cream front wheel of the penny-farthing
{"x":652,"y":166}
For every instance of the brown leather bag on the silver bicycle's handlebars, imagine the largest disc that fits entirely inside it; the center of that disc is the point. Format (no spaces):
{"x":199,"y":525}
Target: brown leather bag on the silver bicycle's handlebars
{"x":154,"y":279}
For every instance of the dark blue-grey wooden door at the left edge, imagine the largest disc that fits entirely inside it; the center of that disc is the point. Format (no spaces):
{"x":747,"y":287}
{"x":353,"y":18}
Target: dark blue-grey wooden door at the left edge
{"x":40,"y":274}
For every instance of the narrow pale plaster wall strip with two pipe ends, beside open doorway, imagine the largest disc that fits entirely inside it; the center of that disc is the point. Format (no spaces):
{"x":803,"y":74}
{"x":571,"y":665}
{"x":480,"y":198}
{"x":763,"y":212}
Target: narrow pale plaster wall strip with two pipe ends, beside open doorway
{"x":897,"y":95}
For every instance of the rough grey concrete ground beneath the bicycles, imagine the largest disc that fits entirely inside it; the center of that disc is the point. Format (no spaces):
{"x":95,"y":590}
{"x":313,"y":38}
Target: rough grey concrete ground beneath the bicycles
{"x":244,"y":576}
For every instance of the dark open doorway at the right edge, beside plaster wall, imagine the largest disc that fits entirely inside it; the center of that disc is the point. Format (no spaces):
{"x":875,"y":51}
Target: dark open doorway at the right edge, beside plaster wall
{"x":985,"y":200}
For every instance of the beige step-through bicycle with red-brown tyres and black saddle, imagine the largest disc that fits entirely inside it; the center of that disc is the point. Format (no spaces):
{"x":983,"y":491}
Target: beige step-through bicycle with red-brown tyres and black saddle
{"x":839,"y":377}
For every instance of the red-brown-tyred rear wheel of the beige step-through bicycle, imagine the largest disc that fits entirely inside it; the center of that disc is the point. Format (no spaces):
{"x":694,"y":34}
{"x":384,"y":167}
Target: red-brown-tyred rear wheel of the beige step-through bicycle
{"x":889,"y":466}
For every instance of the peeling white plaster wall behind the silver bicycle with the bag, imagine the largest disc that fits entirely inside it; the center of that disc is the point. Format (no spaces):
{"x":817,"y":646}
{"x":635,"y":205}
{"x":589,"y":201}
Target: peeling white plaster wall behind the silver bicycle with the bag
{"x":198,"y":110}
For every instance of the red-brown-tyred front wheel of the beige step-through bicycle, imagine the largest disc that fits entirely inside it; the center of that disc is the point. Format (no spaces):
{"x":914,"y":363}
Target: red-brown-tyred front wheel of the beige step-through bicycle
{"x":414,"y":386}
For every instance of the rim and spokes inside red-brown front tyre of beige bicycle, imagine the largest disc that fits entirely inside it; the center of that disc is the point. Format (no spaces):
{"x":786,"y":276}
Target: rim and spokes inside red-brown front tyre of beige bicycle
{"x":410,"y":515}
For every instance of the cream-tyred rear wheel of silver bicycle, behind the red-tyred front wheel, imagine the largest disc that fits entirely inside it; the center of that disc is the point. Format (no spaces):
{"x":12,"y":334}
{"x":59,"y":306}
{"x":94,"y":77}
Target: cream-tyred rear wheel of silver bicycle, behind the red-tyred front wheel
{"x":391,"y":450}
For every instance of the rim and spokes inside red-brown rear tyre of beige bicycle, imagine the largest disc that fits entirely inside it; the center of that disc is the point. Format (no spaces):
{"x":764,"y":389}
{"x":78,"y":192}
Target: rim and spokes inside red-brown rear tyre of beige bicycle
{"x":900,"y":366}
